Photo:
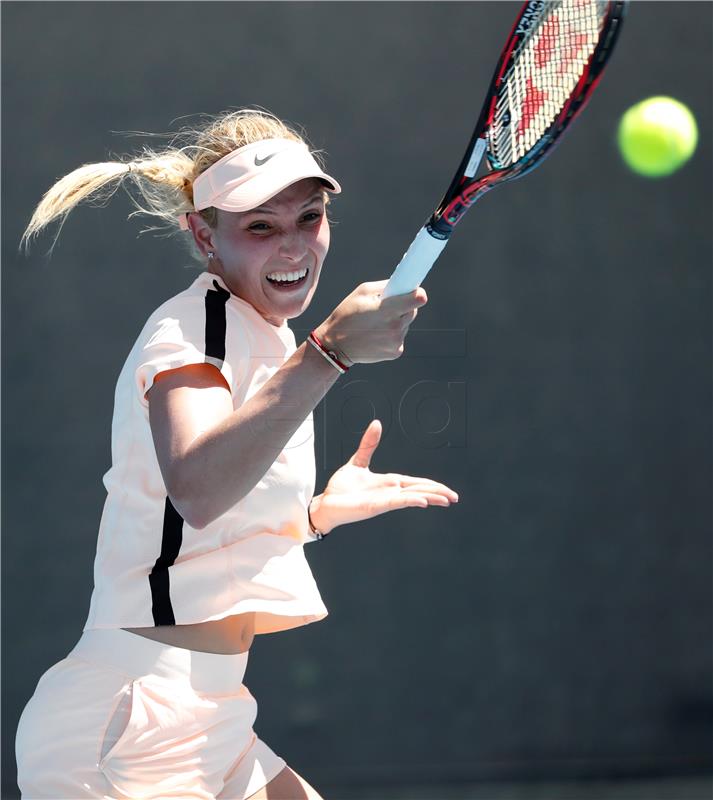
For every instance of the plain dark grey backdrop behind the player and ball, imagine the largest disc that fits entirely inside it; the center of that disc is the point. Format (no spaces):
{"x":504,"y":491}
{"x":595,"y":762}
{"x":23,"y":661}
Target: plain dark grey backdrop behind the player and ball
{"x":557,"y":621}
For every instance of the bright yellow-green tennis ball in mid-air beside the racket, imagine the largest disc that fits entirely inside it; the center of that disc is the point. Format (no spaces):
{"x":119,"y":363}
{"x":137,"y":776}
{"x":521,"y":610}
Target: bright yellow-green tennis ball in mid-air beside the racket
{"x":657,"y":136}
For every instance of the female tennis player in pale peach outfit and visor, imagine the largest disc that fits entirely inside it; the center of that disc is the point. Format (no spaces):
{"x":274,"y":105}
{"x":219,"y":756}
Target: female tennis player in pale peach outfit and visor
{"x":210,"y":492}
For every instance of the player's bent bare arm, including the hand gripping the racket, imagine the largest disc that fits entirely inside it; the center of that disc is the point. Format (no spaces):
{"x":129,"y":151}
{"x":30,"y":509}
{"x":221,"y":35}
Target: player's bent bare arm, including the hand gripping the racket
{"x":210,"y":455}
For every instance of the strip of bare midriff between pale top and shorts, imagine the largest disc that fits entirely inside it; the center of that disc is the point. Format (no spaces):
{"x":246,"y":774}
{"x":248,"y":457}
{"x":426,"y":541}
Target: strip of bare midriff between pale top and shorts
{"x":225,"y":636}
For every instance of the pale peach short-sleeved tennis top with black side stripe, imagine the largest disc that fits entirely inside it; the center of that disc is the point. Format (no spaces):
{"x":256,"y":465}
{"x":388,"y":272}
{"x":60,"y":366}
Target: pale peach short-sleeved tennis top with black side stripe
{"x":151,"y":567}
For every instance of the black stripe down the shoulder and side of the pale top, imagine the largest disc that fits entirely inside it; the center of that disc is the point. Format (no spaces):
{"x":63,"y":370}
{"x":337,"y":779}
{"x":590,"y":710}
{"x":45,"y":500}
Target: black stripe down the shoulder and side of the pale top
{"x":172,"y":536}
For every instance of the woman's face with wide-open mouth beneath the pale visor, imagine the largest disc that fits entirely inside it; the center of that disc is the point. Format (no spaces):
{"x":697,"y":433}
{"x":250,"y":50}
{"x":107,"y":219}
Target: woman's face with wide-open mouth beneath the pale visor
{"x":287,"y":234}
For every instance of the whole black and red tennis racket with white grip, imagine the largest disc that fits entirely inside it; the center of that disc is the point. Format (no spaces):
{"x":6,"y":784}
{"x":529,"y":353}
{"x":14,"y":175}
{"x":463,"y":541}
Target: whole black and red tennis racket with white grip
{"x":548,"y":69}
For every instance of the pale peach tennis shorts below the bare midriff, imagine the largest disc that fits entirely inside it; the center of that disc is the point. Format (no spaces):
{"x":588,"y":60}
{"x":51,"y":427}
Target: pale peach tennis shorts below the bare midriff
{"x":123,"y":716}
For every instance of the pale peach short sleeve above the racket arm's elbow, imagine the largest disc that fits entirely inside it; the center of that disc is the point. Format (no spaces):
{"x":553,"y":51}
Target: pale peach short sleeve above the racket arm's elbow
{"x":189,"y":330}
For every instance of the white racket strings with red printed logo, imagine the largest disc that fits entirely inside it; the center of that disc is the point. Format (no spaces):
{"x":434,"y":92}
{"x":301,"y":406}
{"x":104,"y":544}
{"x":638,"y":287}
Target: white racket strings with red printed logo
{"x":546,"y":67}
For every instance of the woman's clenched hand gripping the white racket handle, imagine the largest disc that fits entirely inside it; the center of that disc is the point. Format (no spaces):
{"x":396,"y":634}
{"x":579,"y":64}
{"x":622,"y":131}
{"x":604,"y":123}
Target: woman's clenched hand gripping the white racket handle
{"x":365,"y":328}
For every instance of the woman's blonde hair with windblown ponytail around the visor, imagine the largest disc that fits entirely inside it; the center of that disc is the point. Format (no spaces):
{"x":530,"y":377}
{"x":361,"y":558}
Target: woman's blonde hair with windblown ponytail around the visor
{"x":164,"y":178}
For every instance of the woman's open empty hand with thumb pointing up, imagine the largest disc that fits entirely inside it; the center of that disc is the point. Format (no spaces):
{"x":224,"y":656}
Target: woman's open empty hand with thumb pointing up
{"x":355,"y":493}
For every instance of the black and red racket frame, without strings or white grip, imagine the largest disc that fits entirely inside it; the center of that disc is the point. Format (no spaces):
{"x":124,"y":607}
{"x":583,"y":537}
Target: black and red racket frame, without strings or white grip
{"x":464,"y":191}
